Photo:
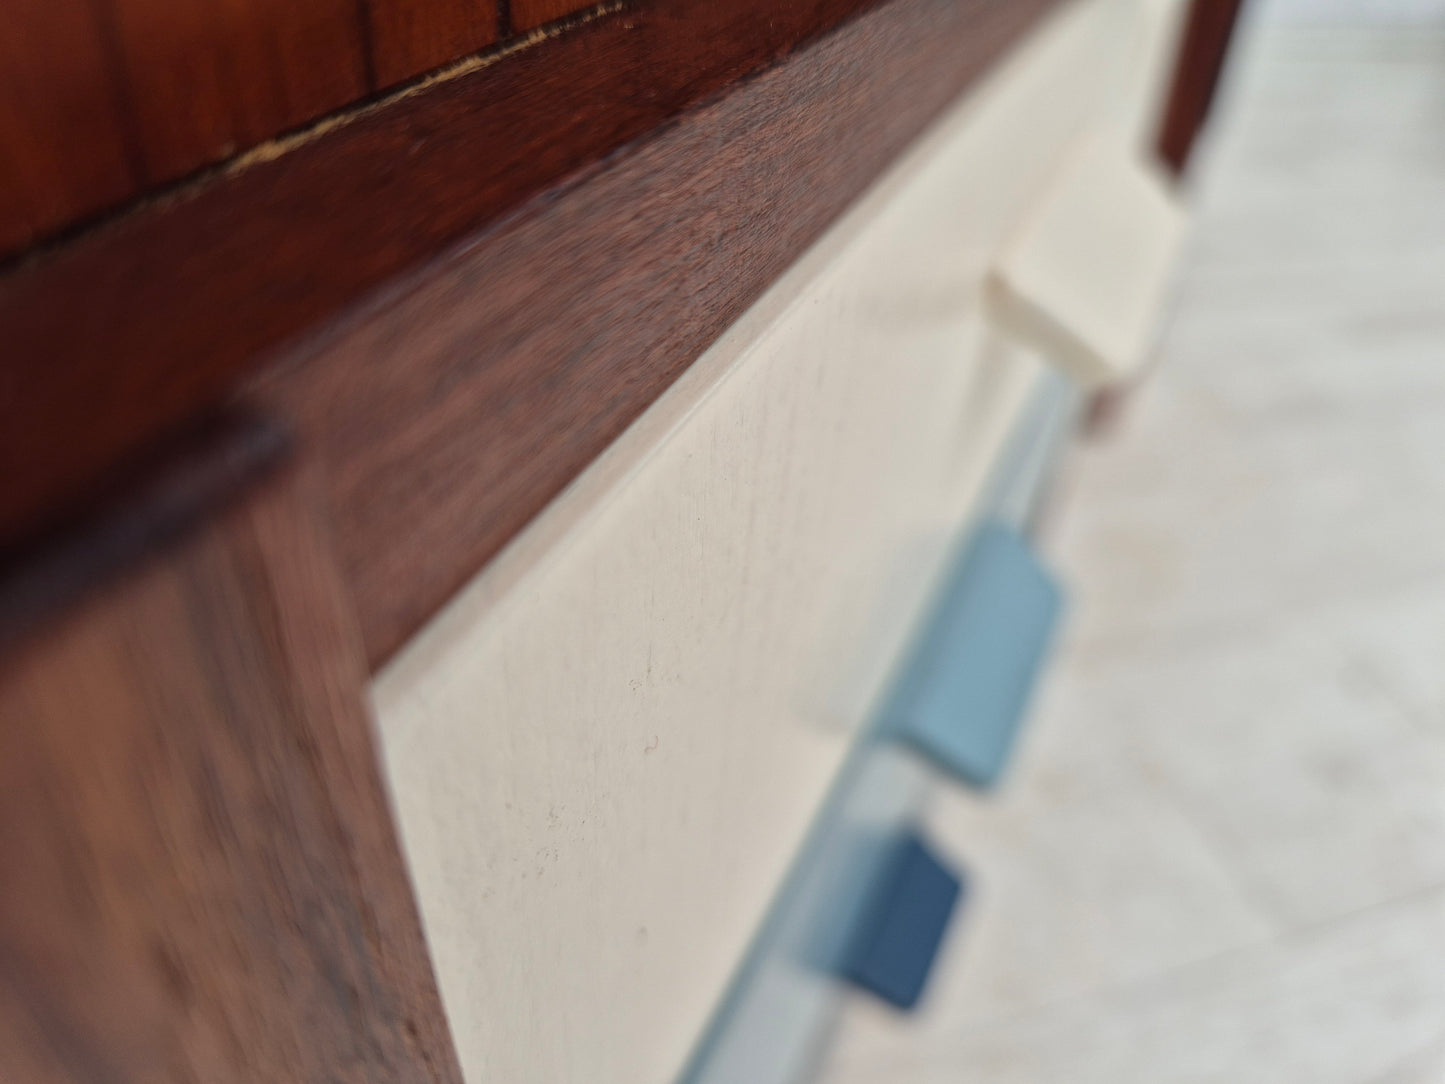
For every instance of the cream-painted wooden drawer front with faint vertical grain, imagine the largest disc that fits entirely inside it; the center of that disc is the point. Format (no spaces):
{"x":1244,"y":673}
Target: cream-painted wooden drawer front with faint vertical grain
{"x":606,"y":752}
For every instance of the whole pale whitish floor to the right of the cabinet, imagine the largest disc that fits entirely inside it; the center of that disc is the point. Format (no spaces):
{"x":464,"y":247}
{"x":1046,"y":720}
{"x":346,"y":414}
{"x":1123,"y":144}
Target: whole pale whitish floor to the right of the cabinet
{"x":1222,"y":856}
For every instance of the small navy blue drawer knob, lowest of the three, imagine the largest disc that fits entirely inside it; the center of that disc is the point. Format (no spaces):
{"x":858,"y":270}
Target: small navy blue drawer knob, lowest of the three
{"x":904,"y":924}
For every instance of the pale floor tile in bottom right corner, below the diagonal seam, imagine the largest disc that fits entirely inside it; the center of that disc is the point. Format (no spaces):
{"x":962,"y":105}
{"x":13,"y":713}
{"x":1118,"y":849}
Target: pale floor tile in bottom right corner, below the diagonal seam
{"x":1360,"y":1002}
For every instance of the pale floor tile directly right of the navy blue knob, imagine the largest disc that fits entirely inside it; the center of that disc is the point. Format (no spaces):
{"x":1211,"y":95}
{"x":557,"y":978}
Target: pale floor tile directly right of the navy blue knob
{"x":1066,"y":901}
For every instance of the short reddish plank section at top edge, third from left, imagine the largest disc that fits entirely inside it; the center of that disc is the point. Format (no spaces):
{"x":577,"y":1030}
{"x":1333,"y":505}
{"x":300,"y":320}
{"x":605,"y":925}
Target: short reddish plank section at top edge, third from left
{"x":414,"y":37}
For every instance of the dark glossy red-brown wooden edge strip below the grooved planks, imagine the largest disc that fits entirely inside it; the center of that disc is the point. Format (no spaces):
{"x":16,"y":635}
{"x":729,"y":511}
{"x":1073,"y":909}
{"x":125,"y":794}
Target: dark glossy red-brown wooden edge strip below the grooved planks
{"x":134,"y":329}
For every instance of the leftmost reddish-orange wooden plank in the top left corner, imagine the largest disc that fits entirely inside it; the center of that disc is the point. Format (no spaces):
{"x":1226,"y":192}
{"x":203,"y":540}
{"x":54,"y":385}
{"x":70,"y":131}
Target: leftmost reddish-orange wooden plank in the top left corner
{"x":63,"y":126}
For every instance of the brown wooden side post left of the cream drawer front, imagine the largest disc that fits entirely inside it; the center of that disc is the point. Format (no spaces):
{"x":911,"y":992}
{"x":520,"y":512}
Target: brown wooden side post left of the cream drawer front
{"x":202,"y":875}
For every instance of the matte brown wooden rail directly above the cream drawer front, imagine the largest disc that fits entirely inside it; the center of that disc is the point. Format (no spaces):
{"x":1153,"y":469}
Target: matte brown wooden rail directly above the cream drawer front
{"x":452,"y":417}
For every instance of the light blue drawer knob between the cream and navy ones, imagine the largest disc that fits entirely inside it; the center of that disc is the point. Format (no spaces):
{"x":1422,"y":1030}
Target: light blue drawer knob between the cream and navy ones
{"x":963,"y":694}
